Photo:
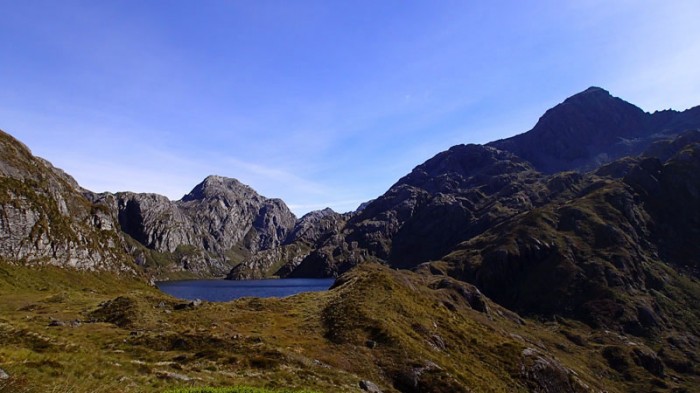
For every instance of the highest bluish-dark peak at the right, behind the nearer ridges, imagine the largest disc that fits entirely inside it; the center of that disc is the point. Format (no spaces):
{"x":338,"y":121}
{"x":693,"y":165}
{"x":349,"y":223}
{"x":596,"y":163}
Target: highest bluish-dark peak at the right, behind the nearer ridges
{"x":592,"y":128}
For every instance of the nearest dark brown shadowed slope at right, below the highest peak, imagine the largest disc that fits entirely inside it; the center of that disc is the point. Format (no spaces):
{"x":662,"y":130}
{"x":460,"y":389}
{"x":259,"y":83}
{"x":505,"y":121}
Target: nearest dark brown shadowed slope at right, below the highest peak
{"x":608,"y":252}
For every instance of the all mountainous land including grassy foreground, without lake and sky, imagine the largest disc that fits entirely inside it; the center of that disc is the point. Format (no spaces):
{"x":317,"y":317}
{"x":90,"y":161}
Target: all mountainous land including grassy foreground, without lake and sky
{"x":487,"y":268}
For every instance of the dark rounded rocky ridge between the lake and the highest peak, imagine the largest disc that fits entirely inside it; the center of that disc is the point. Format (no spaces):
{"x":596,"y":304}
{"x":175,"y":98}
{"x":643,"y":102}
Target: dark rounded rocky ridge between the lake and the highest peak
{"x":450,"y":198}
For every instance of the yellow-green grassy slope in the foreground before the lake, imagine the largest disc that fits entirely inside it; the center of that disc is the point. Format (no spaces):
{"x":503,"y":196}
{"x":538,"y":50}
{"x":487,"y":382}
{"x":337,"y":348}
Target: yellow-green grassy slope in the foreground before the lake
{"x":423,"y":339}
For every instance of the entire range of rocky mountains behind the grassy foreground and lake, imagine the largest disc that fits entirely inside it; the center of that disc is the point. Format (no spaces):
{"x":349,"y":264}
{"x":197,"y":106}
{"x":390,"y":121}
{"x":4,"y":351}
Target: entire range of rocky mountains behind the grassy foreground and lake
{"x":592,"y":216}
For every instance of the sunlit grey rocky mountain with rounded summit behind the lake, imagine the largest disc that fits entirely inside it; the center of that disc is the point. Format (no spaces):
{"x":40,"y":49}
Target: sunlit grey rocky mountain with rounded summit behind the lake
{"x":217,"y":225}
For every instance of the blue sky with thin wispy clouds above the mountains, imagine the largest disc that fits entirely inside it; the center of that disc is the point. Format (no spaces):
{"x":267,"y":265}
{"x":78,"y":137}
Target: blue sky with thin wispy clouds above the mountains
{"x":320,"y":103}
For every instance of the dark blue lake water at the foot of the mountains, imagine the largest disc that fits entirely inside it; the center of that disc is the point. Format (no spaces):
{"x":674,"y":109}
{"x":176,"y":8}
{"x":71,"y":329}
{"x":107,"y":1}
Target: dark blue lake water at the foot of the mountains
{"x":225,"y":290}
